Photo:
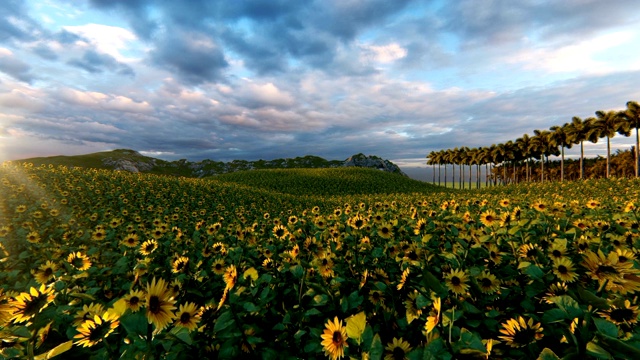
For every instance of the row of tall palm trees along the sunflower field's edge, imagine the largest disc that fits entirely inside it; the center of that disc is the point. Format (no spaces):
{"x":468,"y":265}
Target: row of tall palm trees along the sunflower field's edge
{"x":542,"y":144}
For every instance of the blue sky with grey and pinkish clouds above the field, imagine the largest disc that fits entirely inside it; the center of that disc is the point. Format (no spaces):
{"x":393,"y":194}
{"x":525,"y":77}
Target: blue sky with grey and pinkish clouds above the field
{"x":254,"y":79}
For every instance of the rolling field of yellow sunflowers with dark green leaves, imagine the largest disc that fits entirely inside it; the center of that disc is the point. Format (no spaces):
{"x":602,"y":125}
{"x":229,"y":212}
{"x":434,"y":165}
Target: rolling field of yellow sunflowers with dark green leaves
{"x":314,"y":263}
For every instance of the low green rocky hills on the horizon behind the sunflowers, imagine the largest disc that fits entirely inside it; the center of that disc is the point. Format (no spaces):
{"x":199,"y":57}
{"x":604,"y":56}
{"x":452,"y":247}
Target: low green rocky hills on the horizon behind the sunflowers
{"x":133,"y":161}
